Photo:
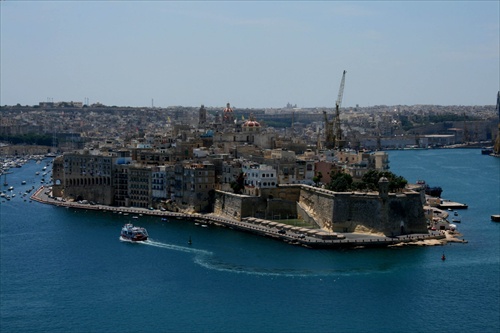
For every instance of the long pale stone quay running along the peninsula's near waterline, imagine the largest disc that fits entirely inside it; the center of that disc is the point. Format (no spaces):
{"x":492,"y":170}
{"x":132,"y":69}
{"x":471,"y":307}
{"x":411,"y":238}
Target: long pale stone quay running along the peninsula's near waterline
{"x":310,"y":238}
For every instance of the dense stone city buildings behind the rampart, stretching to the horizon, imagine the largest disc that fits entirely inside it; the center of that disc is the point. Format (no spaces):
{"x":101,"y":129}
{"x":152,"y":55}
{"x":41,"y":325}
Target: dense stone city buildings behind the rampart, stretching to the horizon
{"x":177,"y":157}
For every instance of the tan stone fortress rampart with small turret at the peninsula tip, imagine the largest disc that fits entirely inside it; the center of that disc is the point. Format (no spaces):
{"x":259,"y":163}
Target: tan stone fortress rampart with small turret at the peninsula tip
{"x":383,"y":213}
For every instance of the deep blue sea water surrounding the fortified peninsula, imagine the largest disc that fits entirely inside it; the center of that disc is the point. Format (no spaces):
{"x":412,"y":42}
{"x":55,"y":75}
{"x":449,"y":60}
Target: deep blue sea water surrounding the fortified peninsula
{"x":65,"y":270}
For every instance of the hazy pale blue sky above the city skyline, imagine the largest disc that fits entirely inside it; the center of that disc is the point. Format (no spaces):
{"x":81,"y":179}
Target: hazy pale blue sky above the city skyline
{"x":251,"y":54}
